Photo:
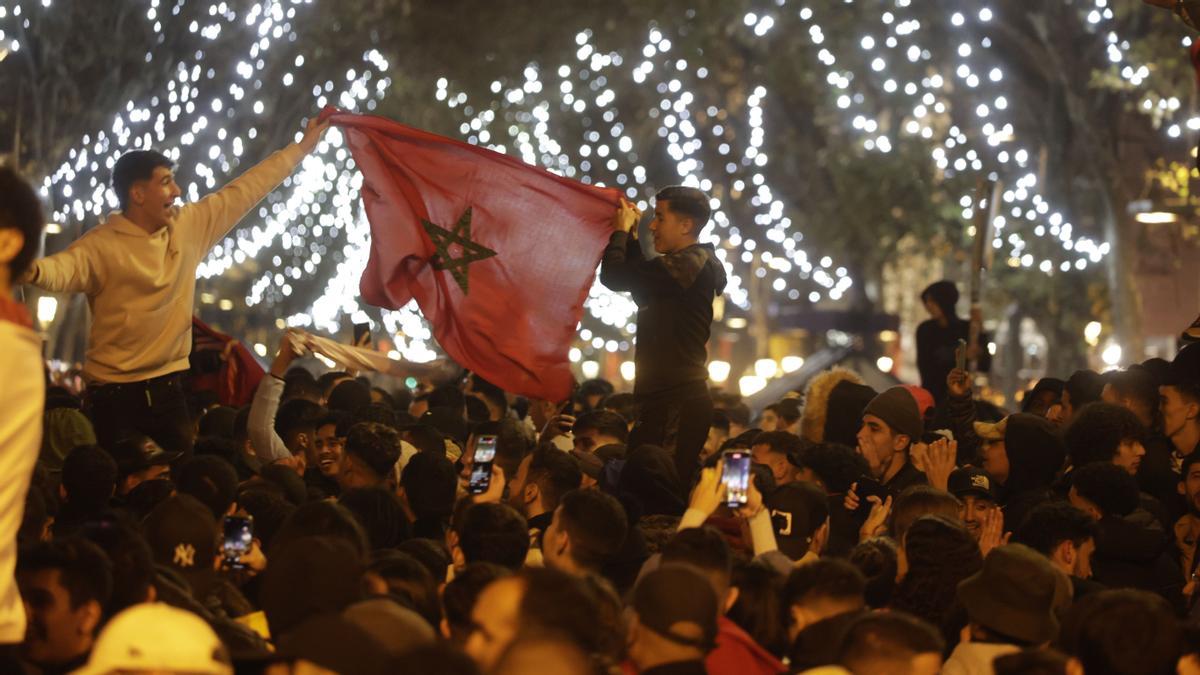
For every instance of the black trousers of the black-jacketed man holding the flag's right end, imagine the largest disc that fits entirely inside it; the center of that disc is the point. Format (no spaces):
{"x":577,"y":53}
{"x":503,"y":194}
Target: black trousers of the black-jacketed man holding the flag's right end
{"x":680,"y":427}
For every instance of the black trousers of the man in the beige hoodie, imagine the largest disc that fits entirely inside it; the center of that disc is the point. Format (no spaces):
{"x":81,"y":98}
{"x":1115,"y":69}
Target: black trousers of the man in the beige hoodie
{"x":157,"y":408}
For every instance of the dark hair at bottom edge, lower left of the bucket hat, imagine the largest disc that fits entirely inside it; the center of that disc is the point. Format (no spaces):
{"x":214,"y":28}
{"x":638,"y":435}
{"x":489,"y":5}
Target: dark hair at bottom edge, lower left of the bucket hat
{"x":883,"y":641}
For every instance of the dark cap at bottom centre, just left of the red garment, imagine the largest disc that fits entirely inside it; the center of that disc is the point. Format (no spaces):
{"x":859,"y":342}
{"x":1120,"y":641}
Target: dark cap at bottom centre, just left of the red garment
{"x":673,"y":595}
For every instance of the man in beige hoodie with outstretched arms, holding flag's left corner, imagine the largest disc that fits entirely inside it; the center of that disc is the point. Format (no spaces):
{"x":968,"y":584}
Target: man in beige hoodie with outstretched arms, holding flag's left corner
{"x":139,"y":271}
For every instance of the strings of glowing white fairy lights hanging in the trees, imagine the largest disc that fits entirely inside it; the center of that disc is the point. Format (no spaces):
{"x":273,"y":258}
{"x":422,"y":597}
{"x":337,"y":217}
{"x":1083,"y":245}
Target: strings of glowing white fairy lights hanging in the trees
{"x":314,"y":228}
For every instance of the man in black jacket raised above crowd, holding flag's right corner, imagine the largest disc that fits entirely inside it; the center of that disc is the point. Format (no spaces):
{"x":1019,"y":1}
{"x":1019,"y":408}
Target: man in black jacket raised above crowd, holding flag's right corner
{"x":675,"y":295}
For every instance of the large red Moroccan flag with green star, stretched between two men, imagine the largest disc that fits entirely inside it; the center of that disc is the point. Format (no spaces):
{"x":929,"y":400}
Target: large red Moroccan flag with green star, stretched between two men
{"x":499,"y":254}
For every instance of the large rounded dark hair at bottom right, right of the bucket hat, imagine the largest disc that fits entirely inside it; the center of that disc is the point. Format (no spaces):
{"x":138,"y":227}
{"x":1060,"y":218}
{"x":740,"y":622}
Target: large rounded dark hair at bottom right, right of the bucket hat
{"x":1127,"y":631}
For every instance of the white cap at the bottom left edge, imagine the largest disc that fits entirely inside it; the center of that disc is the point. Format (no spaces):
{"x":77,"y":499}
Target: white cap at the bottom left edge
{"x":160,"y":638}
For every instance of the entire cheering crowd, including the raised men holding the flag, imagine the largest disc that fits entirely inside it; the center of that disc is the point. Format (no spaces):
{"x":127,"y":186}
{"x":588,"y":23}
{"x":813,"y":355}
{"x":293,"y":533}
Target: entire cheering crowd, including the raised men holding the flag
{"x":333,"y":527}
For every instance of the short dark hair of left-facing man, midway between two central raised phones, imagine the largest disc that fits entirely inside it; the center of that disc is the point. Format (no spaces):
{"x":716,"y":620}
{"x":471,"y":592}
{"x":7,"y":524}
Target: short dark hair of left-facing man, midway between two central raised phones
{"x":597,"y":524}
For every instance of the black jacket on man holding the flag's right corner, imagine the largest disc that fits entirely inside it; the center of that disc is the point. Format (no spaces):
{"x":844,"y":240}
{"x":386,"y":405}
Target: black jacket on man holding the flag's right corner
{"x":675,"y":297}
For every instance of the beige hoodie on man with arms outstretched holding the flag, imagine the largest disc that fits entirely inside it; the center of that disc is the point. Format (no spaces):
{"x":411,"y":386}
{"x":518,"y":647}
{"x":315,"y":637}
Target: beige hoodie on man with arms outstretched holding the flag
{"x":141,"y":288}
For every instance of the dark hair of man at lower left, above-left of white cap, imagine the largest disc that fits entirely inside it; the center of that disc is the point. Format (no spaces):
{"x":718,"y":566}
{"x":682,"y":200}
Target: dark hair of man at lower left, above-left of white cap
{"x":85,"y":571}
